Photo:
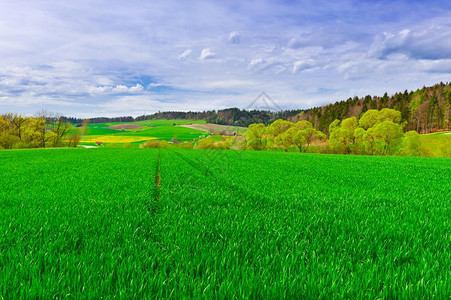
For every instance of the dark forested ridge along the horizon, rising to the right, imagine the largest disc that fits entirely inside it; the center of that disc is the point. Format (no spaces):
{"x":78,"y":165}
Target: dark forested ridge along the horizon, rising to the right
{"x":425,"y":110}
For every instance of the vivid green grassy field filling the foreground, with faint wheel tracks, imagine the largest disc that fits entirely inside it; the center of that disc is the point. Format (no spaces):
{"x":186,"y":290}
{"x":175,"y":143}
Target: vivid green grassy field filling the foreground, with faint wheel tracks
{"x":93,"y":223}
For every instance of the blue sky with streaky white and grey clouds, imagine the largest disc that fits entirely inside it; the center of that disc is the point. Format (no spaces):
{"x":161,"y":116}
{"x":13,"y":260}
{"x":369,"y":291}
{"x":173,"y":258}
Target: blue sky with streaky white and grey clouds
{"x":130,"y":58}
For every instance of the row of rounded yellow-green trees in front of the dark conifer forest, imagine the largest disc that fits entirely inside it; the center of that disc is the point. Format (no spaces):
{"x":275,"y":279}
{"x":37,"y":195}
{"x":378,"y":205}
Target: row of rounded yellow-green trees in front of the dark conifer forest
{"x":375,"y":133}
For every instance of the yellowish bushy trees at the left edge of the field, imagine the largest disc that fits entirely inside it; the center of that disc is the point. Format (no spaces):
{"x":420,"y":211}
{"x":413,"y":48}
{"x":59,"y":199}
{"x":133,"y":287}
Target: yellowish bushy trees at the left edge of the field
{"x":41,"y":131}
